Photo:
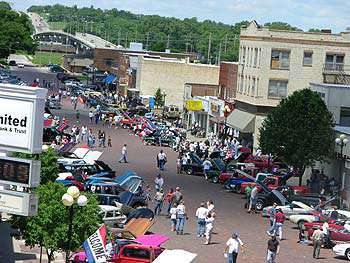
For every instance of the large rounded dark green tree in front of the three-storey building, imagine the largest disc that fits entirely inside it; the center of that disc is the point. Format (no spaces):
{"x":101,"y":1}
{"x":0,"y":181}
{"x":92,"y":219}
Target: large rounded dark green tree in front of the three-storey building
{"x":299,"y":130}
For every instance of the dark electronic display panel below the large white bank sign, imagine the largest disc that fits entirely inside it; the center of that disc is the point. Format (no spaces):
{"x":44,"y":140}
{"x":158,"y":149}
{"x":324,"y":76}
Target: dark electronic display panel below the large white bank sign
{"x":20,"y":172}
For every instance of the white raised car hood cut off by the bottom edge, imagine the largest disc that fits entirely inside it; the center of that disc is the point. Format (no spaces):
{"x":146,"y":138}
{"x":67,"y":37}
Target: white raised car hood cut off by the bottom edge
{"x":175,"y":256}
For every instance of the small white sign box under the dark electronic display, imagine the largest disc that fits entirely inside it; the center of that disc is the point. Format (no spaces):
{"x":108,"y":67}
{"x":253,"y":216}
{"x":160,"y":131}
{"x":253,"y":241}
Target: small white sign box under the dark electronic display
{"x":18,"y":203}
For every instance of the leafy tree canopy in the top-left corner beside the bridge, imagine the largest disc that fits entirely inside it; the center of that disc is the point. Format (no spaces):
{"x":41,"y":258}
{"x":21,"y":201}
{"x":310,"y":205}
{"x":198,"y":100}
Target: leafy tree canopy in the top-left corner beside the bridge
{"x":15,"y":33}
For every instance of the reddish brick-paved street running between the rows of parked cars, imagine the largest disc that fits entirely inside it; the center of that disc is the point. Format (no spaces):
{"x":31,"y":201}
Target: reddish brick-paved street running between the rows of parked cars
{"x":231,"y":215}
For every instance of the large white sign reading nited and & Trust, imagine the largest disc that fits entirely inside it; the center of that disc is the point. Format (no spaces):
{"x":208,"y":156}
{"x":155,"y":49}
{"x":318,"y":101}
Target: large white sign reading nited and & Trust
{"x":21,"y":118}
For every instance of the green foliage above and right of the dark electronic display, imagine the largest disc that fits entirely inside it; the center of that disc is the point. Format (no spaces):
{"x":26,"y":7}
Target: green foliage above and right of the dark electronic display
{"x":49,"y":165}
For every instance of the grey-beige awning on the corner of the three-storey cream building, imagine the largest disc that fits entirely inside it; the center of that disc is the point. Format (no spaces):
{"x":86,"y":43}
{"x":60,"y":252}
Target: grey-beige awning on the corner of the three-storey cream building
{"x":242,"y":121}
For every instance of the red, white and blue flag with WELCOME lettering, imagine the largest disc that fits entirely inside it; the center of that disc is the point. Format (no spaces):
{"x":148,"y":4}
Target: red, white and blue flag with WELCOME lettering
{"x":95,"y":246}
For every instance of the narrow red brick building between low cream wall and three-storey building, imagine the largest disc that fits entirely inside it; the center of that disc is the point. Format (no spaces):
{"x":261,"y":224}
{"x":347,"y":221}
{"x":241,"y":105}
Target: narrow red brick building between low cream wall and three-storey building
{"x":228,"y":80}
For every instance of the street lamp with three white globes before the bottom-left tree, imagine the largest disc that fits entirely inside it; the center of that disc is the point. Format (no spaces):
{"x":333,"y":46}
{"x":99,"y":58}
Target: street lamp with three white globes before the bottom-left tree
{"x":68,"y":200}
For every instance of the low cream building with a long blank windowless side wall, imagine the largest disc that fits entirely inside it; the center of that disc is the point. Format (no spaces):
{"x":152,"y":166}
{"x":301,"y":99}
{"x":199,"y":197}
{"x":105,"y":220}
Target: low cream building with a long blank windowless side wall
{"x":171,"y":75}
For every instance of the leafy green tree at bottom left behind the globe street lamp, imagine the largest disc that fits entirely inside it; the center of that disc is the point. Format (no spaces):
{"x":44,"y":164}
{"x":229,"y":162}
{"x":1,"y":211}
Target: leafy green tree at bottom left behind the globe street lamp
{"x":49,"y":228}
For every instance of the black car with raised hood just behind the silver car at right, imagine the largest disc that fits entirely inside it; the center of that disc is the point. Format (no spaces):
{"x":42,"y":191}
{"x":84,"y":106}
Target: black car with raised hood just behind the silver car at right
{"x":285,"y":195}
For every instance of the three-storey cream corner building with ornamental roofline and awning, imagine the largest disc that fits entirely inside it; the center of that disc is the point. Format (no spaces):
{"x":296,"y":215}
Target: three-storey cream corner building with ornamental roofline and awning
{"x":274,"y":63}
